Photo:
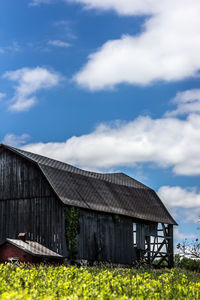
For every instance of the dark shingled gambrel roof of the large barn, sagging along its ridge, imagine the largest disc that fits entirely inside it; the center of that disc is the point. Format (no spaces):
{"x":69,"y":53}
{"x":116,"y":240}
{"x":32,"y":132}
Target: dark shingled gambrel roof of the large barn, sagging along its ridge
{"x":114,"y":193}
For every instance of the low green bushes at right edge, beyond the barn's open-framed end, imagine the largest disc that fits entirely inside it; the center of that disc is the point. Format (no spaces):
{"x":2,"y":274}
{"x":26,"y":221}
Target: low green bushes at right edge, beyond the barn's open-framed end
{"x":187,"y":263}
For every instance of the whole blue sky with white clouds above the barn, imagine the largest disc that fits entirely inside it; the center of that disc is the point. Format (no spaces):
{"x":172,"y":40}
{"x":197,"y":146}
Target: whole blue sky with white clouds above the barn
{"x":108,"y":85}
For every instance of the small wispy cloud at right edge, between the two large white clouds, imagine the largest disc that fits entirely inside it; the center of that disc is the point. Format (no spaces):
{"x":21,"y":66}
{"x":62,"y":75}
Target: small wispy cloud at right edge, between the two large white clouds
{"x":187,"y":102}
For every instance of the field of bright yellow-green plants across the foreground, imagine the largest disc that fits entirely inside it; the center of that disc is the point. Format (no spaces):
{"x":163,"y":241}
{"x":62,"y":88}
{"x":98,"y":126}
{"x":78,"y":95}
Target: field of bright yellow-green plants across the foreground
{"x":48,"y":282}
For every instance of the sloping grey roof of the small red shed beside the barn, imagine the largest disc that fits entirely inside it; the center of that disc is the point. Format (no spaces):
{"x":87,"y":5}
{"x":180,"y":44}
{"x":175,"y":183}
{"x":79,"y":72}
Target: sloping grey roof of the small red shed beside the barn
{"x":34,"y":248}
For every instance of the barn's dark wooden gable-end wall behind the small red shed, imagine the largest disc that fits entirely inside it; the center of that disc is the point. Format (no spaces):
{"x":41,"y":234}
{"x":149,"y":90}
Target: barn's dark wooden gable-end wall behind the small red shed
{"x":28,"y":204}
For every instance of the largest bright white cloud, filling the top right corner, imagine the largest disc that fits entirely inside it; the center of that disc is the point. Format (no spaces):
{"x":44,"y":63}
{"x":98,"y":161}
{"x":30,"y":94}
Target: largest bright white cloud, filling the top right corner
{"x":168,"y":49}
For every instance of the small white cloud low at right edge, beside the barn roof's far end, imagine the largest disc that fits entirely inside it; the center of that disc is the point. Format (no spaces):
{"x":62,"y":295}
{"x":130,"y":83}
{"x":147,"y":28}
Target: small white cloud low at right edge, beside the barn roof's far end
{"x":176,"y":196}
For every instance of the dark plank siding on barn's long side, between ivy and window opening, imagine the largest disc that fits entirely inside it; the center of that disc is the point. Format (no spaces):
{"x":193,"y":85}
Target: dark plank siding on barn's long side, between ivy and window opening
{"x":101,"y":239}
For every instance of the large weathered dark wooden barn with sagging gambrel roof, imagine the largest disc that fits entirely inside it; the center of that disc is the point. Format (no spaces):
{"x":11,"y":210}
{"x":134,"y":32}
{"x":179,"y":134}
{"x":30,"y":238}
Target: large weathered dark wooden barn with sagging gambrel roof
{"x":79,"y":214}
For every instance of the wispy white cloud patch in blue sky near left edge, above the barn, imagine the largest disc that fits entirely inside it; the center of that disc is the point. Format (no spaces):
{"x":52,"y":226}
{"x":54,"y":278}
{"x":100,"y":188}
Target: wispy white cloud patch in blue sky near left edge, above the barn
{"x":29,"y":81}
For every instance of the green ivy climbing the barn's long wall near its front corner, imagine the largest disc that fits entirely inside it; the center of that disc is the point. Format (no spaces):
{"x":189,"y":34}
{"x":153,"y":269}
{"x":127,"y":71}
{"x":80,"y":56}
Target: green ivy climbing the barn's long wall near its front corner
{"x":72,"y":230}
